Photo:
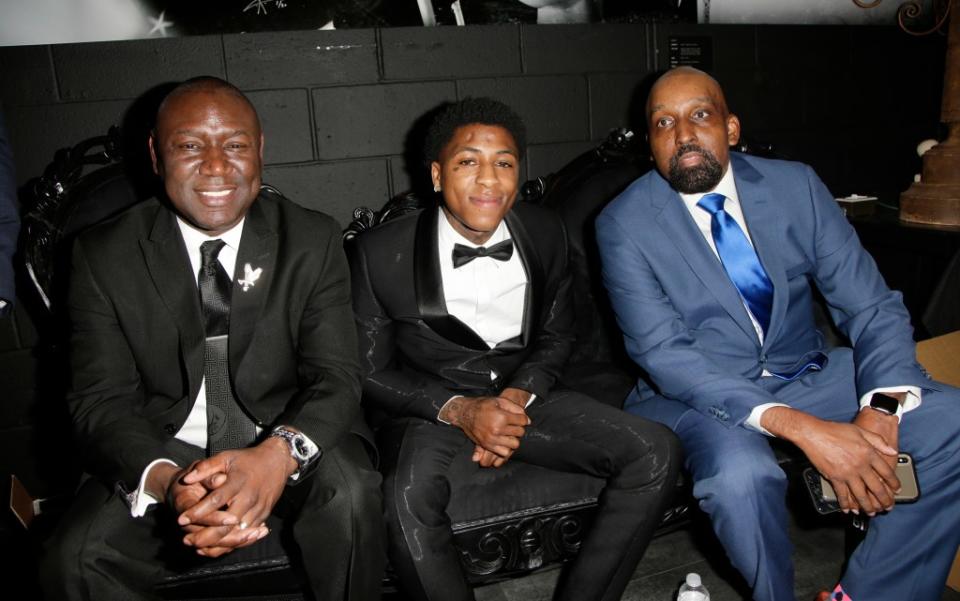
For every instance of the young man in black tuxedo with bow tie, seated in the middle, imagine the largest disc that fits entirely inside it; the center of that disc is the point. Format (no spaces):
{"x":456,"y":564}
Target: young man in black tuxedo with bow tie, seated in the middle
{"x":465,"y":322}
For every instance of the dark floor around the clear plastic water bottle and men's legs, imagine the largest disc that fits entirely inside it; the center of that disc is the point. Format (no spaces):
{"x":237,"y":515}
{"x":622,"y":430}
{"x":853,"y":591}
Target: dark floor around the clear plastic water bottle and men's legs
{"x":818,"y":556}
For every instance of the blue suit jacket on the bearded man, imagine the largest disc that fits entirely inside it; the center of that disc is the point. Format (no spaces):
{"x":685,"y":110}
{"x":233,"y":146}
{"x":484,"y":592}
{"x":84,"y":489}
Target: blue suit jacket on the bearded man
{"x":684,"y":321}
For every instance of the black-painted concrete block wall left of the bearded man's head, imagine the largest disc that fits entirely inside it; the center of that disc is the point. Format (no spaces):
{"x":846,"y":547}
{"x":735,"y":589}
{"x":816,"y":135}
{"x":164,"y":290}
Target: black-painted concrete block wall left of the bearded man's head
{"x":337,"y":106}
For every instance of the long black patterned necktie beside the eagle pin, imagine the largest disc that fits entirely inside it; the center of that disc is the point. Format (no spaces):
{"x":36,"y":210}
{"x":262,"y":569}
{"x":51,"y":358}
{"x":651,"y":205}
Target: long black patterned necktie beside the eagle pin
{"x":228,"y":427}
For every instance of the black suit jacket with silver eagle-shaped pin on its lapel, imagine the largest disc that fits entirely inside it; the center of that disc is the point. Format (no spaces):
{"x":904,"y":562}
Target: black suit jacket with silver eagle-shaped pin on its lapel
{"x":138,"y":335}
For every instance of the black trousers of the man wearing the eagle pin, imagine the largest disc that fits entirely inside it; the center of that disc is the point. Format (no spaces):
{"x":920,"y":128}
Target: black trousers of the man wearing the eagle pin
{"x":332,"y":522}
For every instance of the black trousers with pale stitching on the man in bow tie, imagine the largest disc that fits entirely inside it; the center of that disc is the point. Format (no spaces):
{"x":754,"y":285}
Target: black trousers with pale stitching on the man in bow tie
{"x":423,"y":461}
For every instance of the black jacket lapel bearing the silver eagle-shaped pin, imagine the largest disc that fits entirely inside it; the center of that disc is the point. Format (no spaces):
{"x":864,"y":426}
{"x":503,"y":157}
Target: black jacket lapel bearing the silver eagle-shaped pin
{"x":258,"y":250}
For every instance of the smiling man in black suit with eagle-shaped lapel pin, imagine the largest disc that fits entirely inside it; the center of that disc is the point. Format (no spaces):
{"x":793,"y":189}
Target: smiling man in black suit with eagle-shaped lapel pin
{"x":199,"y":415}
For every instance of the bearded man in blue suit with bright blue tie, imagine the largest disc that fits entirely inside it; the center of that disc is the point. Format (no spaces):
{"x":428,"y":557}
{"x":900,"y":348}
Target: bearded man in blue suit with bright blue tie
{"x":708,"y":261}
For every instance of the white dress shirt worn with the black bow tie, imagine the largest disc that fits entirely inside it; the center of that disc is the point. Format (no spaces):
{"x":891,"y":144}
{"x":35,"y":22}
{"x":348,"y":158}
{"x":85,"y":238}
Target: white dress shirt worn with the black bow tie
{"x":485,"y":294}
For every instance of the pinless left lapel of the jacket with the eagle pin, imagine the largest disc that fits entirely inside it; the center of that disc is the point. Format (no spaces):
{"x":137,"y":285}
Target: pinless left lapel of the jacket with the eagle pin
{"x":169,"y":265}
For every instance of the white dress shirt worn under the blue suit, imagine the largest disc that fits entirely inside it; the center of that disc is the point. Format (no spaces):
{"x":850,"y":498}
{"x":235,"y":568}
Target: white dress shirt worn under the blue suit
{"x":727,"y":186}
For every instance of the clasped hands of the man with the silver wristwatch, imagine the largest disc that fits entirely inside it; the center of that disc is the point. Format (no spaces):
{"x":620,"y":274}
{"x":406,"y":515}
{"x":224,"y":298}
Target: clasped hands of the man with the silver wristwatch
{"x":222,"y":501}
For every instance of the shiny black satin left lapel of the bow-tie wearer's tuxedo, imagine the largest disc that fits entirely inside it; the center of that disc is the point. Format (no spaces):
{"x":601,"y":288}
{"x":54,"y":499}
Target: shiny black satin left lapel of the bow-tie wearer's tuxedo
{"x":429,"y":286}
